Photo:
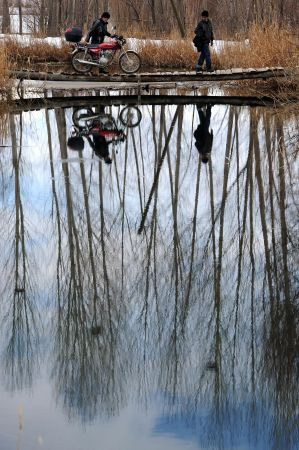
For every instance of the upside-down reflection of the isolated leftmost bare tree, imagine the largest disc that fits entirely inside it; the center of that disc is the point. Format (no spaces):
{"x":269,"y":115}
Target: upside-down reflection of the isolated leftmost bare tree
{"x":20,"y":319}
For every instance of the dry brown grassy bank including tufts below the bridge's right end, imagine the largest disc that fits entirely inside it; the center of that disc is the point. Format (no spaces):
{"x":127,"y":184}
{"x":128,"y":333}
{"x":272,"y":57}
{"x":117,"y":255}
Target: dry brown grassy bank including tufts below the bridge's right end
{"x":267,"y":47}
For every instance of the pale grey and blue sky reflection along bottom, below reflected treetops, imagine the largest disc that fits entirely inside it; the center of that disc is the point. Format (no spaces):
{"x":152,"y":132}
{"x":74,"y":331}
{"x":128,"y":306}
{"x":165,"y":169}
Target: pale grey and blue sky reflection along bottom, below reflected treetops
{"x":45,"y":426}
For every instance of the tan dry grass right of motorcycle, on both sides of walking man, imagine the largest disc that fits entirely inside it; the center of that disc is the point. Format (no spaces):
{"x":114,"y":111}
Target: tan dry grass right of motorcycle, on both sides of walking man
{"x":263,"y":47}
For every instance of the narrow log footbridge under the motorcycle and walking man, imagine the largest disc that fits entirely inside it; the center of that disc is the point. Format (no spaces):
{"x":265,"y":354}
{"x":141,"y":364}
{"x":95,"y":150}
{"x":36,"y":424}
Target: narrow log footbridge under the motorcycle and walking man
{"x":155,"y":77}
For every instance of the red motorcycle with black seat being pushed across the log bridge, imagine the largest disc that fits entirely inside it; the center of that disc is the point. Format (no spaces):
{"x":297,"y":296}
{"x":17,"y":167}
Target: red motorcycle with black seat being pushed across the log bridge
{"x":86,"y":56}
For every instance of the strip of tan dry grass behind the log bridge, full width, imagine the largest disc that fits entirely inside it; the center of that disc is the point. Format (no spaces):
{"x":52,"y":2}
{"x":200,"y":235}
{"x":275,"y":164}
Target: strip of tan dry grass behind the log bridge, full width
{"x":261,"y":47}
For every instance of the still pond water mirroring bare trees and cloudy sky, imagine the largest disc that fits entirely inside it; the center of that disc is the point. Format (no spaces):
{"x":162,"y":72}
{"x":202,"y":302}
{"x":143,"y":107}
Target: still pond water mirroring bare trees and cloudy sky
{"x":149,"y":292}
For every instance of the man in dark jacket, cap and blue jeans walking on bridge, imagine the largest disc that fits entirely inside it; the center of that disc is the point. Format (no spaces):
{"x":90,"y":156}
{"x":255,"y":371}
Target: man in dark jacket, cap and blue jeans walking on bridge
{"x":204,"y":37}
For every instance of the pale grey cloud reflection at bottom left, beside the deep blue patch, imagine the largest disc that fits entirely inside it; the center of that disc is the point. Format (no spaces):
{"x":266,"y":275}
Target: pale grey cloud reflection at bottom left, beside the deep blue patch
{"x":45,"y":427}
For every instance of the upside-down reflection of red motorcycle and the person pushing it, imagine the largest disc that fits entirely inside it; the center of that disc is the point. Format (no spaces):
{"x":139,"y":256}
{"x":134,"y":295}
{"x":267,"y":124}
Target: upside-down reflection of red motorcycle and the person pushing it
{"x":101,"y":129}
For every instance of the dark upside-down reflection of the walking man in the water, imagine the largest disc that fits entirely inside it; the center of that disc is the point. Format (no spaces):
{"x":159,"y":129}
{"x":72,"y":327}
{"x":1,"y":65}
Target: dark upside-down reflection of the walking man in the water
{"x":203,"y":137}
